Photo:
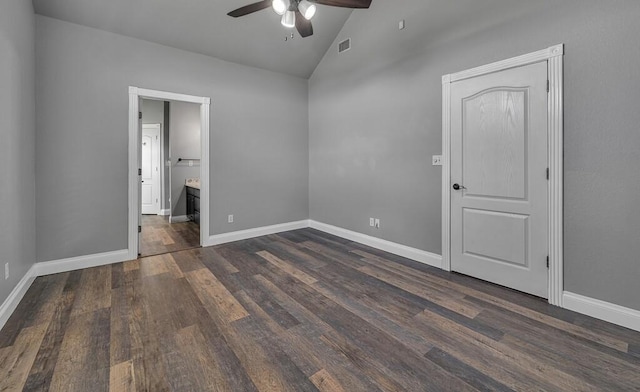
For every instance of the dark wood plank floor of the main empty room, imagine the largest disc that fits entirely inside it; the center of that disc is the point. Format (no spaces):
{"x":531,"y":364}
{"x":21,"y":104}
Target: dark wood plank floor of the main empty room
{"x":301,"y":311}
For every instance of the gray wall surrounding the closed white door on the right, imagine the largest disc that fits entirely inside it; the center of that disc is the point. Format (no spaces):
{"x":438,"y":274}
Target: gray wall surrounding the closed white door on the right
{"x":375,"y":121}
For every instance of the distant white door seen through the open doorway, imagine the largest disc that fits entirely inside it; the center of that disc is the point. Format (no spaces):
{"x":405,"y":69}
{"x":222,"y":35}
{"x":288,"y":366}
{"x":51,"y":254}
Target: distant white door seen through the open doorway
{"x":150,"y":179}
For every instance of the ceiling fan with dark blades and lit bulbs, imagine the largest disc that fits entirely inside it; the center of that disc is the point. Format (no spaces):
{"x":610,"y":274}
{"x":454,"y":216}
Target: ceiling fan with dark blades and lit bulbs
{"x":297,"y":13}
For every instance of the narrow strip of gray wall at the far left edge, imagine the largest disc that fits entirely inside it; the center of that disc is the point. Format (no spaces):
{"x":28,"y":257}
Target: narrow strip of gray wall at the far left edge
{"x":17,"y":133}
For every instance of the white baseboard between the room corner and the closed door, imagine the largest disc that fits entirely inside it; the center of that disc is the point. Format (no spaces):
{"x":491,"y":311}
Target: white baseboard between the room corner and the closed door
{"x":414,"y":254}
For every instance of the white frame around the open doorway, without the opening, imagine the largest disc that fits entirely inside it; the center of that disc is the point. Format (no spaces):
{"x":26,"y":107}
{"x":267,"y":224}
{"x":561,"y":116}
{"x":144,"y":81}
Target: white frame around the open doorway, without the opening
{"x":135,"y":94}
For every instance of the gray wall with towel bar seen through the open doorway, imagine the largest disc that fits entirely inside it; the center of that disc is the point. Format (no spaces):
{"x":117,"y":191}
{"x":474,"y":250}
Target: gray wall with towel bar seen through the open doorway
{"x":184,"y":143}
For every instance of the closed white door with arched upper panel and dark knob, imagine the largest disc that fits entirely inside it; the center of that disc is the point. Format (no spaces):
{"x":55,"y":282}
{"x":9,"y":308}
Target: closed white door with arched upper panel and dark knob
{"x":499,"y":178}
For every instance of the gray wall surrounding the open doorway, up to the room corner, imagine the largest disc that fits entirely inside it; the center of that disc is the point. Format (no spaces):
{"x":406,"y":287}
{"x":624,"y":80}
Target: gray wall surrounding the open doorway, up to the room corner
{"x":259,"y":138}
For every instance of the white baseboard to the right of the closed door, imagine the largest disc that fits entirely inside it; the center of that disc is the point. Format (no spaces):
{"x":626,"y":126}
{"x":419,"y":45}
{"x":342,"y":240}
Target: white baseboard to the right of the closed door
{"x":602,"y":310}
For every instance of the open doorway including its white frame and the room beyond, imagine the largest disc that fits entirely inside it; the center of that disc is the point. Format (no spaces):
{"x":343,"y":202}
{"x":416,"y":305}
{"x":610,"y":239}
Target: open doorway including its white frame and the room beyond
{"x":168,"y":172}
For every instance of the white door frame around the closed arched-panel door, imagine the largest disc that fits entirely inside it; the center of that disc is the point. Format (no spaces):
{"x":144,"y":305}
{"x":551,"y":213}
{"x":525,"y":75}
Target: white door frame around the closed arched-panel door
{"x":555,"y":129}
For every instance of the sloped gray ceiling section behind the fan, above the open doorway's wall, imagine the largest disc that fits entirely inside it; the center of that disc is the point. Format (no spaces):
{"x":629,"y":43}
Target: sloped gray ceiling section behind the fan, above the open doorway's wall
{"x":202,"y":26}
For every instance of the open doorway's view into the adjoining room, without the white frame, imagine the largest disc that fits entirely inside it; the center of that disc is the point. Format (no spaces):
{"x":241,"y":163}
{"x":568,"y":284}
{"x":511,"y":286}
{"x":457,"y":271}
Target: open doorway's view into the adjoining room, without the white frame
{"x":169,"y":181}
